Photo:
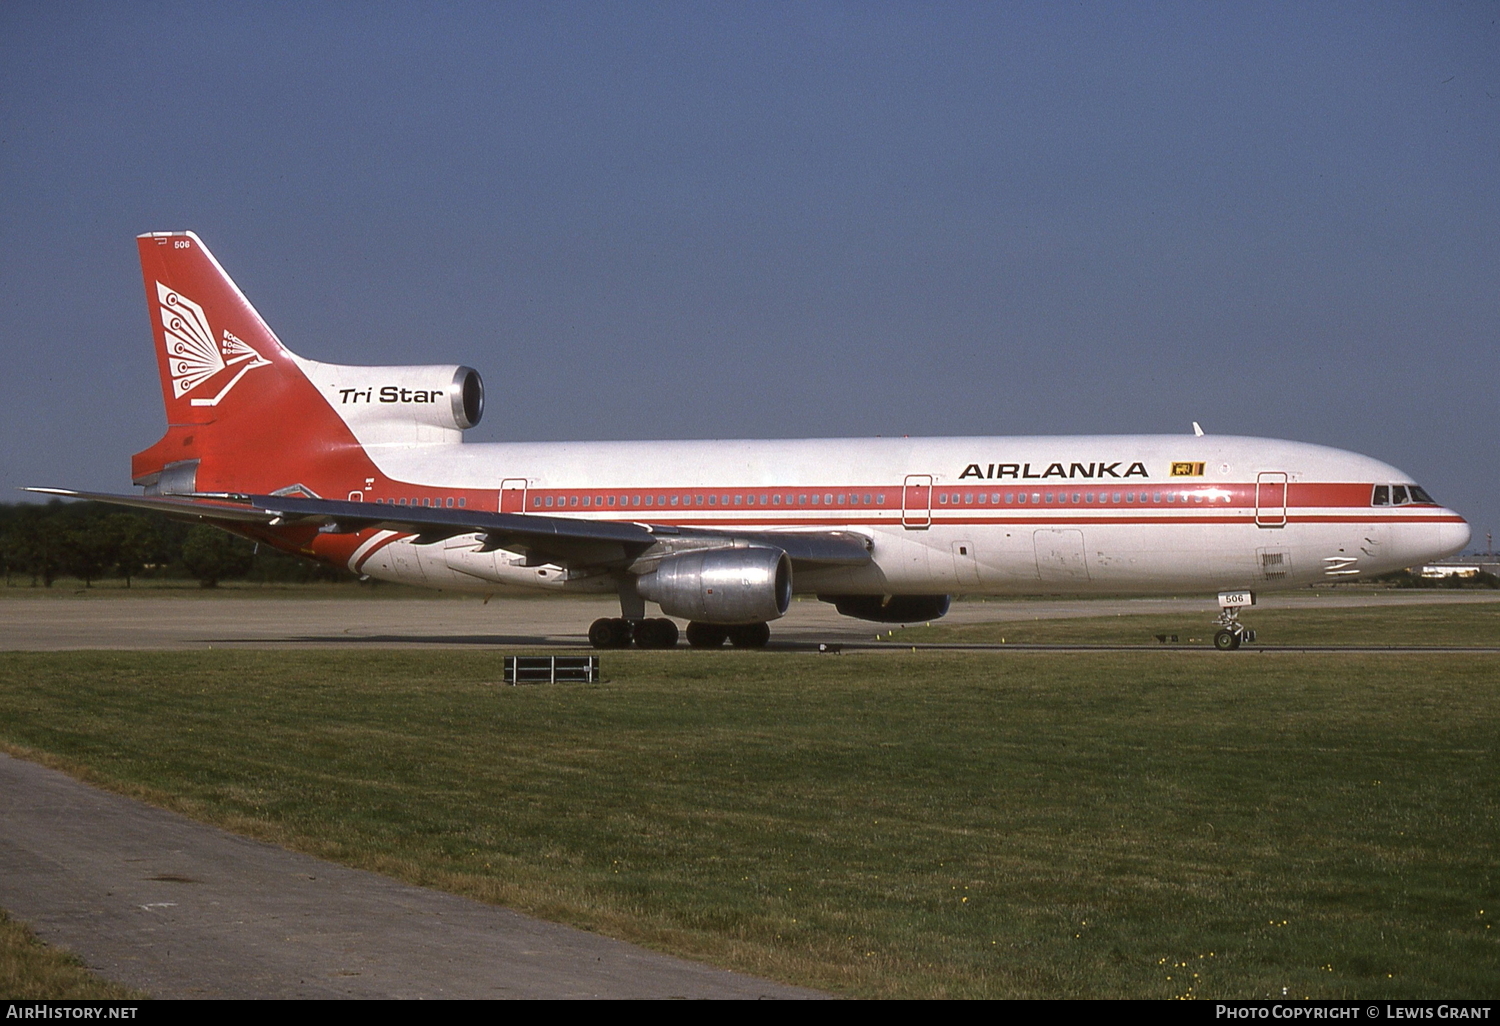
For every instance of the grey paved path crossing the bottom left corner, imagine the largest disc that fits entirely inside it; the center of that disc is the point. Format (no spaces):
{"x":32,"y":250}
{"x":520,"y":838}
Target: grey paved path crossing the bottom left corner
{"x":181,"y":910}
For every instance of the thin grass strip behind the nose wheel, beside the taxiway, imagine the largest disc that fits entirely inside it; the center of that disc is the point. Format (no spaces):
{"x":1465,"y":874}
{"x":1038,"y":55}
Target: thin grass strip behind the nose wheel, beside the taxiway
{"x":1448,"y":625}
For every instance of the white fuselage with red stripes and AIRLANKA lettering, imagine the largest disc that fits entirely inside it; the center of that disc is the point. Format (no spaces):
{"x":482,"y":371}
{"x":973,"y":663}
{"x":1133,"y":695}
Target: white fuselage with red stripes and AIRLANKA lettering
{"x":1066,"y":515}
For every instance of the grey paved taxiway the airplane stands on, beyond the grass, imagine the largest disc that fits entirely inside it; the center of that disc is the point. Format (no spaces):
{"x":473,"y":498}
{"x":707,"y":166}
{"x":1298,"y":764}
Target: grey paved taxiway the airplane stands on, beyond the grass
{"x":187,"y":620}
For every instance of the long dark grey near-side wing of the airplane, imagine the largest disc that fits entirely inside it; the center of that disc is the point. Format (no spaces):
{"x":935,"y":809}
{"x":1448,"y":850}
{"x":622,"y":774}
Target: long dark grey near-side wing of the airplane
{"x":545,"y":539}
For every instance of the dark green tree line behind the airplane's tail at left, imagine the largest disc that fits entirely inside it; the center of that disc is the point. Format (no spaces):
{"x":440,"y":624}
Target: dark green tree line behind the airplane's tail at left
{"x":97,"y":541}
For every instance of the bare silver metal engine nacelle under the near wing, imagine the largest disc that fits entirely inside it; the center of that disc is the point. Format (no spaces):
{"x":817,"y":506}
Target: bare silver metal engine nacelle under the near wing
{"x":722,"y":586}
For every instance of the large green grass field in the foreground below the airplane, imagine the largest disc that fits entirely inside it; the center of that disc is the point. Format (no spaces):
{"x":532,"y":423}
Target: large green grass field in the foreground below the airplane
{"x":889,"y":824}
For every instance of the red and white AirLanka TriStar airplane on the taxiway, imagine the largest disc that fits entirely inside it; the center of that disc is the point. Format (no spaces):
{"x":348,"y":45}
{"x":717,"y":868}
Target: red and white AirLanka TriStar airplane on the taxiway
{"x":365,"y":467}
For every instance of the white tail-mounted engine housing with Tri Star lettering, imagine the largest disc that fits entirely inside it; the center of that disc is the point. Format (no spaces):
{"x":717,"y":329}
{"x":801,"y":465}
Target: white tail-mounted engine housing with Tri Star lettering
{"x":401,"y":406}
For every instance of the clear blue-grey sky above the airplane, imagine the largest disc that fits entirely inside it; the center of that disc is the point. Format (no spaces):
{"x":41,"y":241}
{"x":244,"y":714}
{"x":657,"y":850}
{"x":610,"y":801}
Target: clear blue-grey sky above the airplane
{"x":686,"y":221}
